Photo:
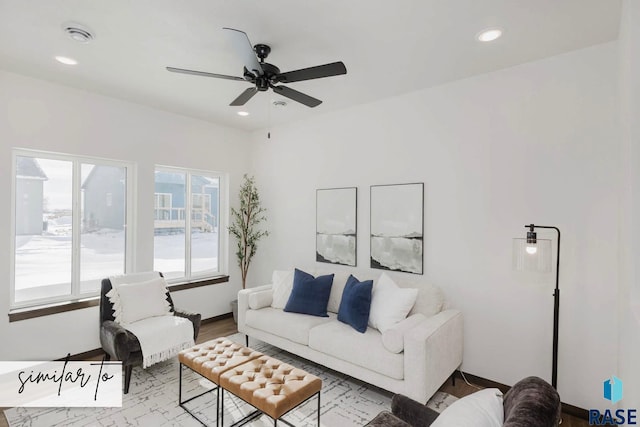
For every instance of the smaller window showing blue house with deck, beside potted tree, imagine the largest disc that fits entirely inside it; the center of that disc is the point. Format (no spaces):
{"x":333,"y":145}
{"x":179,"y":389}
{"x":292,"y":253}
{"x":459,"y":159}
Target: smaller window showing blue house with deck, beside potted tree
{"x":186,"y":226}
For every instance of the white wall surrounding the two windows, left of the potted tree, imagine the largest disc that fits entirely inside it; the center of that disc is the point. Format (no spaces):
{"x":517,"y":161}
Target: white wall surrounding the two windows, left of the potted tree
{"x":38,"y":115}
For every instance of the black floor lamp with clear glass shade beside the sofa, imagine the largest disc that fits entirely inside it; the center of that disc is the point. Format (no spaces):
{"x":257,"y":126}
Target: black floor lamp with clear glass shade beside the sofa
{"x":533,"y":254}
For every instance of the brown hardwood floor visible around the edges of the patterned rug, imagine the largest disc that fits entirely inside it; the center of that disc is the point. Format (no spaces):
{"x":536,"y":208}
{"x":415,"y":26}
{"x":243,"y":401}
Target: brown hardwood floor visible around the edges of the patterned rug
{"x":225,"y":327}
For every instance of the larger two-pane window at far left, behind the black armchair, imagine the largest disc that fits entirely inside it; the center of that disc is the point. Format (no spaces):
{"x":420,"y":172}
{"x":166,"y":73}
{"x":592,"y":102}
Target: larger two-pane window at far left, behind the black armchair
{"x":70,"y":217}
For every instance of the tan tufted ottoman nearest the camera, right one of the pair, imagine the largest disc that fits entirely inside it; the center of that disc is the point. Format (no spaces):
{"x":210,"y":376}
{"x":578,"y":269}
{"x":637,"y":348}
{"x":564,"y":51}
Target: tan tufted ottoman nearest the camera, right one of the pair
{"x":271,"y":386}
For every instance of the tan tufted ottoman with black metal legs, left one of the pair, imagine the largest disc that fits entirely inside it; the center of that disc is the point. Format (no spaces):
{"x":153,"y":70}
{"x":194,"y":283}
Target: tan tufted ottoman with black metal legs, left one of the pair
{"x":211,"y":359}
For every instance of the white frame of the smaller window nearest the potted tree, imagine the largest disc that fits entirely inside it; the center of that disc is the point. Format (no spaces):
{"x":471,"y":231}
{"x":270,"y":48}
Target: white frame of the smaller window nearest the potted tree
{"x":223,"y":202}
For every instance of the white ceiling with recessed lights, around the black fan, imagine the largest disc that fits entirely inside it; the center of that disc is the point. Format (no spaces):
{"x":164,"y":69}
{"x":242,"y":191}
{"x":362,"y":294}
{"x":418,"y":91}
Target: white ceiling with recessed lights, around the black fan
{"x":388,"y":47}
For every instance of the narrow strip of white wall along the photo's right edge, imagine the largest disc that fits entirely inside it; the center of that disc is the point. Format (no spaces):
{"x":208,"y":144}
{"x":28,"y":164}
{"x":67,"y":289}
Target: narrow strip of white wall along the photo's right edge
{"x":629,"y":297}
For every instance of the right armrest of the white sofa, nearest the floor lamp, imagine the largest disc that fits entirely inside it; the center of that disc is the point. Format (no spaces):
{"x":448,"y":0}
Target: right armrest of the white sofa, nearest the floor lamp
{"x":432,"y":352}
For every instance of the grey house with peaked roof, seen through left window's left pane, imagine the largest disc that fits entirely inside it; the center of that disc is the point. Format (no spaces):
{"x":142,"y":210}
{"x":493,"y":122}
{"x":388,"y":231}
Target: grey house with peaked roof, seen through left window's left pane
{"x":29,"y":196}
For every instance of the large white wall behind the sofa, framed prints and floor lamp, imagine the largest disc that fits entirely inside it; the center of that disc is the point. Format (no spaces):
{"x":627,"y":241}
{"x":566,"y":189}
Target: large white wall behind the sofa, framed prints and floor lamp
{"x":534,"y":143}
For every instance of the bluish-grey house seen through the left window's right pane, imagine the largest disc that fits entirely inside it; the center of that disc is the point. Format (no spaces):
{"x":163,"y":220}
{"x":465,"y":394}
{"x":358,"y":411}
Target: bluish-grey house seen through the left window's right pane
{"x":104,"y":196}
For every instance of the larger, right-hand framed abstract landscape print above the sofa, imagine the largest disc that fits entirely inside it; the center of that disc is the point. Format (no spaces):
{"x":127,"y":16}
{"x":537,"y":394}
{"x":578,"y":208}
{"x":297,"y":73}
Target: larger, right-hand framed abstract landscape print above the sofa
{"x":397,"y":227}
